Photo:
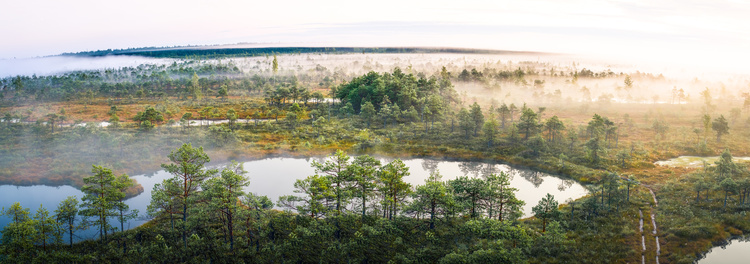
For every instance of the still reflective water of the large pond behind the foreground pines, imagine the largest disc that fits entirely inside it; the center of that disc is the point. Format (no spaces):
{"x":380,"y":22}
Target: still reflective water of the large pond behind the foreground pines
{"x":275,"y":177}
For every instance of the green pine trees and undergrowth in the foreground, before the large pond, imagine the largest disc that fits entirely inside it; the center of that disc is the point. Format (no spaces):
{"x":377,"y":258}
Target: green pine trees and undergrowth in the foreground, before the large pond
{"x":352,"y":210}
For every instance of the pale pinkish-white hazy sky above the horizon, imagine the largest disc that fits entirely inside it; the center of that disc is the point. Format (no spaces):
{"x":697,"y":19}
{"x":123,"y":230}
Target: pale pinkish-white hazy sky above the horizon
{"x":713,"y":34}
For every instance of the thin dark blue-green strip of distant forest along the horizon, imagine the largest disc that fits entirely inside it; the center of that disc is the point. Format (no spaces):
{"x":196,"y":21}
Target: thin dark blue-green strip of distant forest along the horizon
{"x":219,"y":52}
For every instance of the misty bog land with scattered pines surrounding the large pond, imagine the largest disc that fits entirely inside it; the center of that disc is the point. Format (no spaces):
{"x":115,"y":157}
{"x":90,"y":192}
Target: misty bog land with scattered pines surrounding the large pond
{"x":180,"y":116}
